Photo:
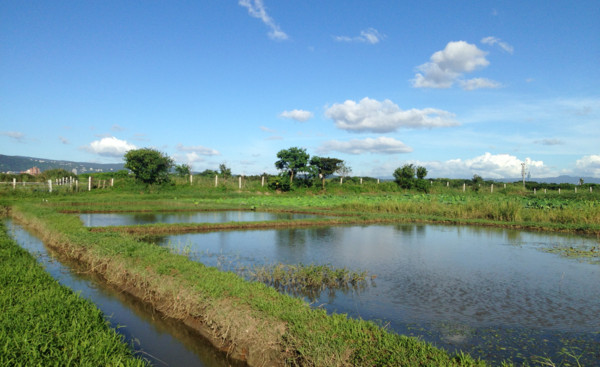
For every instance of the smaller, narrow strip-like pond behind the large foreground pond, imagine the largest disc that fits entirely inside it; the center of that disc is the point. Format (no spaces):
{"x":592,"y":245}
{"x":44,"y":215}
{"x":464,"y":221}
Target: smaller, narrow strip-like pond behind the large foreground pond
{"x":126,"y":219}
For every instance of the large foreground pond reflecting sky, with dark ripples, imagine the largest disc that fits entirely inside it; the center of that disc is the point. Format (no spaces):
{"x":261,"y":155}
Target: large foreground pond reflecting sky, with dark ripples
{"x":494,"y":293}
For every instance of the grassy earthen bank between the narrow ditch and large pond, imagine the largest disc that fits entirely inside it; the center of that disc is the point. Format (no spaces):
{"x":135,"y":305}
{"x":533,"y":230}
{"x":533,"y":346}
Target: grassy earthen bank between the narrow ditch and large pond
{"x":251,"y":321}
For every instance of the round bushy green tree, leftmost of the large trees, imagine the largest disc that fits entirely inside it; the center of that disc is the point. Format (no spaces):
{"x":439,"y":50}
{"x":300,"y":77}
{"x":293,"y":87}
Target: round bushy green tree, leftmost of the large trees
{"x":149,"y":165}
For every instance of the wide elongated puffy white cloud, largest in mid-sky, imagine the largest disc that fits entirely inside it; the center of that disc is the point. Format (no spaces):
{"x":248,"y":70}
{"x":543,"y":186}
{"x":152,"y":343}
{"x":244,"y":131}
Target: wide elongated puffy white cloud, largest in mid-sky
{"x":381,"y":117}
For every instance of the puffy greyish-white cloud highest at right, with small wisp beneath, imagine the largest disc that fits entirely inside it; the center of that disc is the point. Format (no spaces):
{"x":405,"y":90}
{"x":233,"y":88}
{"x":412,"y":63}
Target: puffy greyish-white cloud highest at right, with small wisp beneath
{"x":448,"y":65}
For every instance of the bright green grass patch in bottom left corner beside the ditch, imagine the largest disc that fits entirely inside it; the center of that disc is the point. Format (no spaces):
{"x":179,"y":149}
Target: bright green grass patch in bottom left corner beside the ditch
{"x":43,"y":323}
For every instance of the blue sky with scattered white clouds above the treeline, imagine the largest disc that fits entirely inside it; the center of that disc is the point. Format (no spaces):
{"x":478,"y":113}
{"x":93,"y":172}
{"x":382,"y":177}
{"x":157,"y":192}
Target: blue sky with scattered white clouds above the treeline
{"x":460,"y":87}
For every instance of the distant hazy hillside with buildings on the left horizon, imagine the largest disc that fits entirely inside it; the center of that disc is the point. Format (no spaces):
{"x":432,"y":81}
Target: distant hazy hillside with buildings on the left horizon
{"x":16,"y":164}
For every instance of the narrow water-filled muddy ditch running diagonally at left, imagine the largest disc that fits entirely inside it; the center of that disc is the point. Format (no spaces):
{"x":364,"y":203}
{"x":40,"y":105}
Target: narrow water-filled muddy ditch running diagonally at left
{"x":163,"y":342}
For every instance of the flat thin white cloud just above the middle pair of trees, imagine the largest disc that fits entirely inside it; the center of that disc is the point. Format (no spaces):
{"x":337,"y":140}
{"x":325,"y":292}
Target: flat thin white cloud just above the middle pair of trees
{"x":382,"y":145}
